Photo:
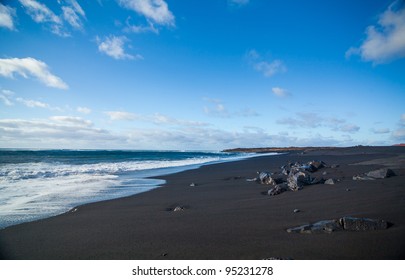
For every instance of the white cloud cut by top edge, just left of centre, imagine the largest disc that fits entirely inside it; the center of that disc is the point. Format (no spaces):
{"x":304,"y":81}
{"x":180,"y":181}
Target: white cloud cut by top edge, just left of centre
{"x":156,"y":11}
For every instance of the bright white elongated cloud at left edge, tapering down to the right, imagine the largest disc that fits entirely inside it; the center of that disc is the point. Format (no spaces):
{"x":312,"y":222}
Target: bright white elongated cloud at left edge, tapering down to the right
{"x":30,"y":67}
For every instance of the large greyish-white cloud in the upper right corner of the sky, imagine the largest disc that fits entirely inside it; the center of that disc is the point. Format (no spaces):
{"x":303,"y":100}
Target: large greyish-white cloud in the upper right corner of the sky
{"x":386,"y":40}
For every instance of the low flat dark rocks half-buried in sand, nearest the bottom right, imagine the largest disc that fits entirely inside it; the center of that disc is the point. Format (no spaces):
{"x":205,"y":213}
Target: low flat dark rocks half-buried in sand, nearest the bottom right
{"x":345,"y":223}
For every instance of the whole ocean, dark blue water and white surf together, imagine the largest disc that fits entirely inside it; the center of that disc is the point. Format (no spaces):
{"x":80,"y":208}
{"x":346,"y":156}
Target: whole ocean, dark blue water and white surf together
{"x":36,"y":184}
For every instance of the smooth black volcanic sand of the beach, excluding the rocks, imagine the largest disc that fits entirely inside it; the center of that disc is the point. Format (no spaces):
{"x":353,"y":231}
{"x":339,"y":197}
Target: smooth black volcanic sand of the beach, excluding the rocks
{"x":227,"y":217}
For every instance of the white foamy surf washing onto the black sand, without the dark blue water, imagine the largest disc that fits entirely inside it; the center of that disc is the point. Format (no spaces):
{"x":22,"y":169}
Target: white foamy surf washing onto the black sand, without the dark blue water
{"x":30,"y":191}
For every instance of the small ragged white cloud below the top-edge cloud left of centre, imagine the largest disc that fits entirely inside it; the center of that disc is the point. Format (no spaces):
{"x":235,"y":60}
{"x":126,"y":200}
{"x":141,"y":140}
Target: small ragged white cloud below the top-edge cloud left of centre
{"x":114,"y":46}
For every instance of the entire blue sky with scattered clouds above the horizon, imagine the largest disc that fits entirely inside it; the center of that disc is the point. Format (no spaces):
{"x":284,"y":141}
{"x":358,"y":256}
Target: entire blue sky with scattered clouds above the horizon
{"x":165,"y":74}
